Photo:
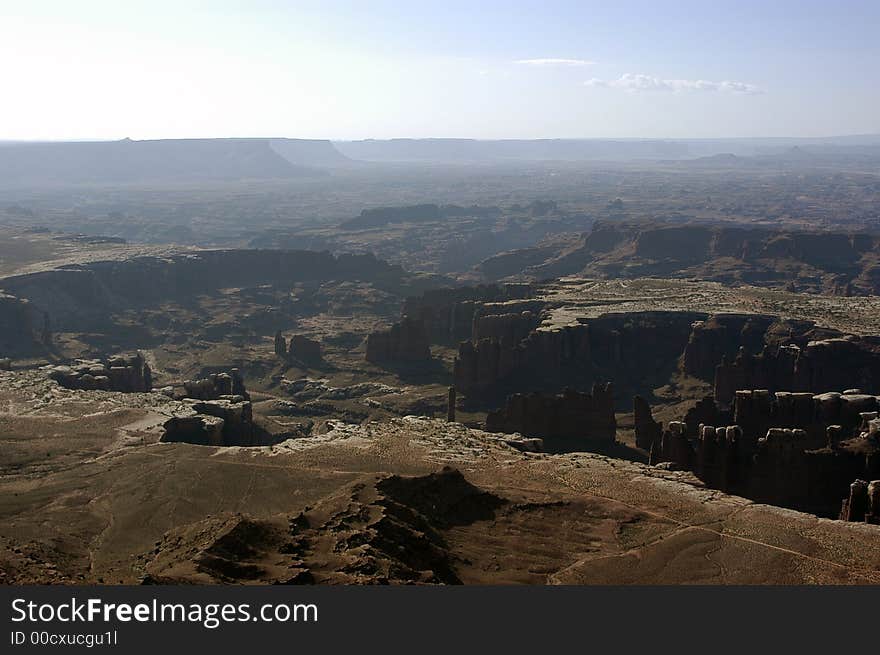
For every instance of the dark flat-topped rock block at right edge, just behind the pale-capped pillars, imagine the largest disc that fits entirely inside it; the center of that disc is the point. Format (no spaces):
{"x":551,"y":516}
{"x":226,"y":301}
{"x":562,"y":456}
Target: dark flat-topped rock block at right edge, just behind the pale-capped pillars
{"x":818,"y":365}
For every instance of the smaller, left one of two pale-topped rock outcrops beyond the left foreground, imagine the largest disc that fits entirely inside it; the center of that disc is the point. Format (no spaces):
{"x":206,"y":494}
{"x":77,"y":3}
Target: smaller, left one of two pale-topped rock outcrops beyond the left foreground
{"x":130,"y":374}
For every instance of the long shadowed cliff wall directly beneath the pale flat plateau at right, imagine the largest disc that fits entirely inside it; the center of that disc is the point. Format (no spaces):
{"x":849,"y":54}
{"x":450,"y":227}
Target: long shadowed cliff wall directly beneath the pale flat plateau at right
{"x":641,"y":351}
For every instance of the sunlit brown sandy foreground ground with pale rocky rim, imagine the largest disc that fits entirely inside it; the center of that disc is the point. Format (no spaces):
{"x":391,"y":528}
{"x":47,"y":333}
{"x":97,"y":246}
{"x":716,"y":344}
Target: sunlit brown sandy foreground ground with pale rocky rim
{"x":87,"y":494}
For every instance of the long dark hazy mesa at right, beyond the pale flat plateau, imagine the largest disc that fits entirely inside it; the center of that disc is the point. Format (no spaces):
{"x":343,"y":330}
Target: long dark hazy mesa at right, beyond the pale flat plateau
{"x":829,"y":262}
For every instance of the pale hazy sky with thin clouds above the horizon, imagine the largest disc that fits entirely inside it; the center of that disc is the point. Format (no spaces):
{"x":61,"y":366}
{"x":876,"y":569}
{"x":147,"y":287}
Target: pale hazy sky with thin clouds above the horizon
{"x":92,"y":69}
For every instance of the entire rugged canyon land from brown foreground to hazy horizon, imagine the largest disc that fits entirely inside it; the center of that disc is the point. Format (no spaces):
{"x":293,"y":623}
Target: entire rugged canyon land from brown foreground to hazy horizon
{"x":420,"y":389}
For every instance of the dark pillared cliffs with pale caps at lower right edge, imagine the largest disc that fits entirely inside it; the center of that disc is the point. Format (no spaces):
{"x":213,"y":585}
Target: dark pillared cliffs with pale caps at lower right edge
{"x":797,"y":450}
